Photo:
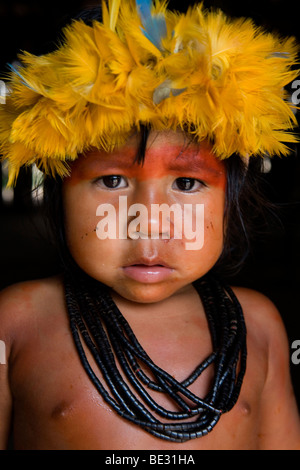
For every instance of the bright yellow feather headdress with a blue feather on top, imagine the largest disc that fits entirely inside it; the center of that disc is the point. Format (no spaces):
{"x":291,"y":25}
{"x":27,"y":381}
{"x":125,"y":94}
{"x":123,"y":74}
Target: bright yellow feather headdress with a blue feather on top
{"x":218,"y":78}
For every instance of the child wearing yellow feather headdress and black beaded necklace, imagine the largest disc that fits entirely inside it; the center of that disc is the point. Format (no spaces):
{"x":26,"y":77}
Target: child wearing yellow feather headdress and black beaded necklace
{"x":138,"y":344}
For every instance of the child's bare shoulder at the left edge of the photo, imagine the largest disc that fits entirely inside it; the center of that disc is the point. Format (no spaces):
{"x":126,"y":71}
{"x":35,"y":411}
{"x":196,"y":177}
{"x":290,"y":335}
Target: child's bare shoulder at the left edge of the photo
{"x":22,"y":303}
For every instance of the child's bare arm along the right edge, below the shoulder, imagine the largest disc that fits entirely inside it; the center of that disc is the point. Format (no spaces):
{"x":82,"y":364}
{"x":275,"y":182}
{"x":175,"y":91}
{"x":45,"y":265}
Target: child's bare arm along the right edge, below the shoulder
{"x":280,"y":420}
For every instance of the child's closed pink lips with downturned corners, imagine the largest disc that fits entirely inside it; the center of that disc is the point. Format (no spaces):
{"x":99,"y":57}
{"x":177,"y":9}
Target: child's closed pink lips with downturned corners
{"x":148,"y":271}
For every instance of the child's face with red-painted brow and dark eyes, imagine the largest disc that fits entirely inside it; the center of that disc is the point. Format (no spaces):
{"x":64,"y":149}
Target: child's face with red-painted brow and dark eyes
{"x":175,"y":171}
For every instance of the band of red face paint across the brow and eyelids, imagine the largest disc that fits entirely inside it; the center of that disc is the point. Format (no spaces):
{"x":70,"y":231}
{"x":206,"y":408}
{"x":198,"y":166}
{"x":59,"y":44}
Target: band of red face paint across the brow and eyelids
{"x":163,"y":157}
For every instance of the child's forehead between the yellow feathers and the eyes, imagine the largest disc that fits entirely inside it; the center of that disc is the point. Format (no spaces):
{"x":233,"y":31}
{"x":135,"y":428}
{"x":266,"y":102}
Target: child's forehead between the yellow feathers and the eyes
{"x":166,"y":152}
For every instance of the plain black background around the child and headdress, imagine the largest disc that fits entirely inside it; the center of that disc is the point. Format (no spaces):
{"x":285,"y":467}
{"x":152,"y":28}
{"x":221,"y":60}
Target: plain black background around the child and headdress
{"x":272,"y":267}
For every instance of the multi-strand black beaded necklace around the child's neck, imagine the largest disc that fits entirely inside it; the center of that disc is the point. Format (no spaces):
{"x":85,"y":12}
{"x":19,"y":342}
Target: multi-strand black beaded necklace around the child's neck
{"x":97,"y":322}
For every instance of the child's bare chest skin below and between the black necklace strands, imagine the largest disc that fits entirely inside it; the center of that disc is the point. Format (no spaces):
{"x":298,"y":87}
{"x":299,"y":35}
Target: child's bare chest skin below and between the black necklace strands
{"x":58,"y":407}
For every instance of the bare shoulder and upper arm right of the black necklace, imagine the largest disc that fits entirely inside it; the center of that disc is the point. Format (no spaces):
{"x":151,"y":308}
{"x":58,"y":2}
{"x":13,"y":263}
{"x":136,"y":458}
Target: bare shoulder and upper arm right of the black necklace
{"x":279,"y":426}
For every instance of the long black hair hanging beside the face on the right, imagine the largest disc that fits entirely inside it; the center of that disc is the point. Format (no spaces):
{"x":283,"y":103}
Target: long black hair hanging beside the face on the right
{"x":247,"y":212}
